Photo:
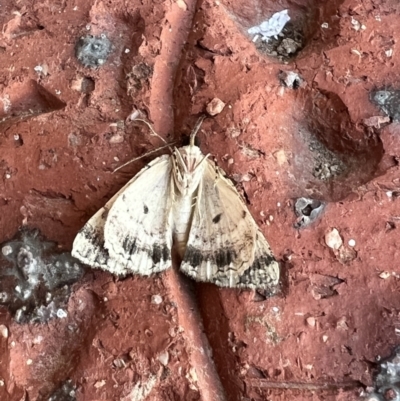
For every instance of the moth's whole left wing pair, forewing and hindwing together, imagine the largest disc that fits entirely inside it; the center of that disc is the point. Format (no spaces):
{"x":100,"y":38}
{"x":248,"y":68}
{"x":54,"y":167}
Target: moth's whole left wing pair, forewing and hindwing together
{"x":116,"y":236}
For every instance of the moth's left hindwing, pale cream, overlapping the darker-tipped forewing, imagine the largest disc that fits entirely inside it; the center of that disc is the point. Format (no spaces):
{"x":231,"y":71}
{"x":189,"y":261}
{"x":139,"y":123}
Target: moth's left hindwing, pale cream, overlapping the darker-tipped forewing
{"x":138,"y":232}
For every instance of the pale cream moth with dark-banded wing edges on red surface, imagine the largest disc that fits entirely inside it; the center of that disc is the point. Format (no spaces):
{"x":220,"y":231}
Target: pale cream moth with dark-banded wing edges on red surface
{"x":186,"y":200}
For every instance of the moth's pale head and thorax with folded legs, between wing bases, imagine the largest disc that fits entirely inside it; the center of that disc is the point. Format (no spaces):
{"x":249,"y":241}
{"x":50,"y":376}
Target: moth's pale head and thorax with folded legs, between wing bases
{"x":188,"y":165}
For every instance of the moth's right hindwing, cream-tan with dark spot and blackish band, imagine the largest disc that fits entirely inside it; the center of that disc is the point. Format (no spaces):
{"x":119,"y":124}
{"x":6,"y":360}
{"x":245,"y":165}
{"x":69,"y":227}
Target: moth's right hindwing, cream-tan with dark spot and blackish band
{"x":222,"y":240}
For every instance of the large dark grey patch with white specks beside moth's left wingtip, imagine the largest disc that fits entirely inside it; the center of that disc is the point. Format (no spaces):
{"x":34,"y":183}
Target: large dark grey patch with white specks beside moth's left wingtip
{"x":35,"y":283}
